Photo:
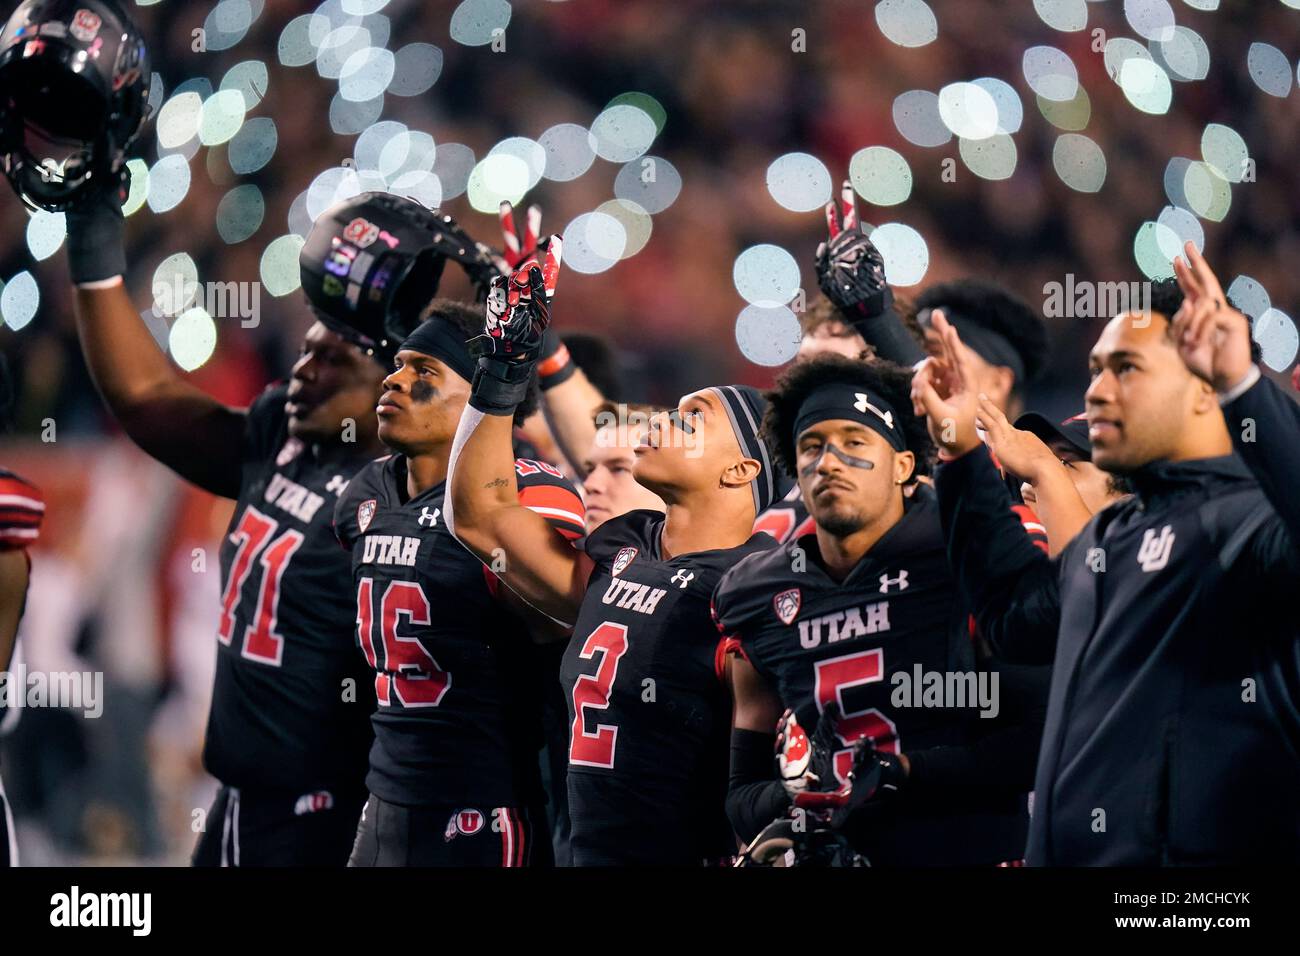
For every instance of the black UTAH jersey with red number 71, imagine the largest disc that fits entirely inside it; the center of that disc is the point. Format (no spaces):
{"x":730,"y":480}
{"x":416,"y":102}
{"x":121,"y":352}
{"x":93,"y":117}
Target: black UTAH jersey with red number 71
{"x":291,"y":708}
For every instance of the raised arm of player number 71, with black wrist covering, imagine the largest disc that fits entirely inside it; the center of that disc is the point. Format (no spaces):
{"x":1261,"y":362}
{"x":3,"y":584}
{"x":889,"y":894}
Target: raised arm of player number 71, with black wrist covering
{"x":175,"y":422}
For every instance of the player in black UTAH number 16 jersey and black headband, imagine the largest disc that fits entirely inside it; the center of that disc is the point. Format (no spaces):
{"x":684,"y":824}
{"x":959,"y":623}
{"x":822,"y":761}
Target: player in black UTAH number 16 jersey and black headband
{"x":454,"y":771}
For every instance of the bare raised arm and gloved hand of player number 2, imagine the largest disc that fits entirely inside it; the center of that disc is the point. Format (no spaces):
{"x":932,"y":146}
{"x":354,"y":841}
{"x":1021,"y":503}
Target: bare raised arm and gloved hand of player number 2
{"x":486,"y":513}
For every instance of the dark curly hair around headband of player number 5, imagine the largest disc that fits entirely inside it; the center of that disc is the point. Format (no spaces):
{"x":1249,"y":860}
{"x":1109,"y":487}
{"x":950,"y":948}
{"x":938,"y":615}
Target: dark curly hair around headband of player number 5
{"x":889,"y":380}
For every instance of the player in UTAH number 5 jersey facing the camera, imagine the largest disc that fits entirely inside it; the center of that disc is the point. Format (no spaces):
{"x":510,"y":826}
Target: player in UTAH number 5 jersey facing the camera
{"x":846,"y":625}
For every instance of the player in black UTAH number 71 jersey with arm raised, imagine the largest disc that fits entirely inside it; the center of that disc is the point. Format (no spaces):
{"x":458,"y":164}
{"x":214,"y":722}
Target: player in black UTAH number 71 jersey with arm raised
{"x":289,"y":729}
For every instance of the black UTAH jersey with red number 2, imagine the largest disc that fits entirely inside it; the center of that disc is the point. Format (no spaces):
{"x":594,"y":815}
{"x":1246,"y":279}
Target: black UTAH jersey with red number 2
{"x":649,"y":711}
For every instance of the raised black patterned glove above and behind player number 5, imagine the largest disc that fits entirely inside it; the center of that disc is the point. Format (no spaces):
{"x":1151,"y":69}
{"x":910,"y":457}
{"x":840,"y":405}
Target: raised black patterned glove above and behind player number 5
{"x":850,"y":269}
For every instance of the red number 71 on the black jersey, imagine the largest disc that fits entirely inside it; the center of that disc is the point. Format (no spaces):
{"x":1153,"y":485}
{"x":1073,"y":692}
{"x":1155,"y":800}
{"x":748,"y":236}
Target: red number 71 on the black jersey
{"x":254,"y":537}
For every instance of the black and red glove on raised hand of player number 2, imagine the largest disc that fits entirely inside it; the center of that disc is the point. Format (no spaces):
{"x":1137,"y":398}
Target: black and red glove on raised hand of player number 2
{"x":518,"y":314}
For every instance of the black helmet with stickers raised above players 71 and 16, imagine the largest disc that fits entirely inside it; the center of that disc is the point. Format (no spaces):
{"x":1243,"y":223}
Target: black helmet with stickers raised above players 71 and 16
{"x":372,"y":263}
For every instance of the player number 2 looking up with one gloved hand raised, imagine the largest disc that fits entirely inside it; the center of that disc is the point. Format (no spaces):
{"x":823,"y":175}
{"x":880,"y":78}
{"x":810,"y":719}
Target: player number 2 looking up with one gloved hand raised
{"x":644,"y":672}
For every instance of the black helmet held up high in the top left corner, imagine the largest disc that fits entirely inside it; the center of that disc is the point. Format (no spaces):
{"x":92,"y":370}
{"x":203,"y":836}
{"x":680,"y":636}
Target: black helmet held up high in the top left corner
{"x":75,"y":85}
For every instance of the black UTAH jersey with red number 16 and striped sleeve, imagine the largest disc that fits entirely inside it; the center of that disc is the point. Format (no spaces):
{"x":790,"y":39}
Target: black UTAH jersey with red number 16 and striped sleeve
{"x":457,"y":676}
